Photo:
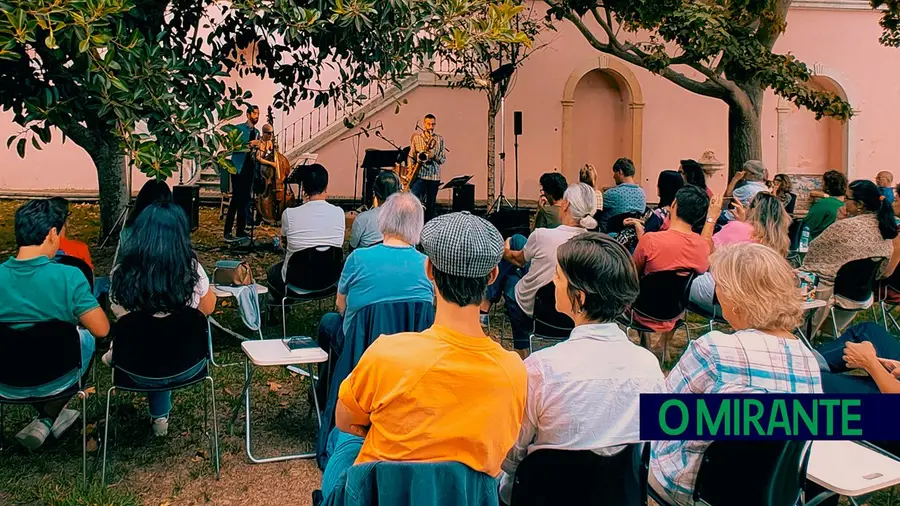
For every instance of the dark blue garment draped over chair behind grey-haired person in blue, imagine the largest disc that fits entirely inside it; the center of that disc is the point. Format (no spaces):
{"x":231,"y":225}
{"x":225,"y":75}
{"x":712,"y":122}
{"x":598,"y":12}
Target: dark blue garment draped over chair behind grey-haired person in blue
{"x":370,"y":322}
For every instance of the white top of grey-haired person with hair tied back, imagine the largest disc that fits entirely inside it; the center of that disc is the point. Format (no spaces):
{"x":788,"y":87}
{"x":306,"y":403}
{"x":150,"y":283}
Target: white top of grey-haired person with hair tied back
{"x":540,"y":250}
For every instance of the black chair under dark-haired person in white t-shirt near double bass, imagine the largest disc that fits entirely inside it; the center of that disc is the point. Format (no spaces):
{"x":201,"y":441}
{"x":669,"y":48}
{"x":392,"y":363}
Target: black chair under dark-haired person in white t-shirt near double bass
{"x":312,"y":275}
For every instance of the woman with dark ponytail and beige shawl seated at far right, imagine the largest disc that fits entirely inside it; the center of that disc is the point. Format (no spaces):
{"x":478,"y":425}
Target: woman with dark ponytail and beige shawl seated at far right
{"x":867,"y":232}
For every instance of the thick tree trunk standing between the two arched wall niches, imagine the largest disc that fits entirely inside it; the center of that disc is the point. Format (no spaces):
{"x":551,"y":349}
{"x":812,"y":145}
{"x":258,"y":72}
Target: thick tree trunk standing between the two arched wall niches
{"x":744,"y":129}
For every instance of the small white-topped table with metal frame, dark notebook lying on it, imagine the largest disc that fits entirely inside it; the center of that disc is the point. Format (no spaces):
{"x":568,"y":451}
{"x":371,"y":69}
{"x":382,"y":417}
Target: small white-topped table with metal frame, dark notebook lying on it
{"x":273,"y":352}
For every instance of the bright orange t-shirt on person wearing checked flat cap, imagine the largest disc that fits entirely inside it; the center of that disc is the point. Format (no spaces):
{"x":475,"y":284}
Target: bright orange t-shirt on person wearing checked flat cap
{"x":436,"y":396}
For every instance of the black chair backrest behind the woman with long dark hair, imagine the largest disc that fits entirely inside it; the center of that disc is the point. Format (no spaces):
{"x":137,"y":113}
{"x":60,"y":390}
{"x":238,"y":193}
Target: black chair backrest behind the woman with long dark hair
{"x":160,"y":346}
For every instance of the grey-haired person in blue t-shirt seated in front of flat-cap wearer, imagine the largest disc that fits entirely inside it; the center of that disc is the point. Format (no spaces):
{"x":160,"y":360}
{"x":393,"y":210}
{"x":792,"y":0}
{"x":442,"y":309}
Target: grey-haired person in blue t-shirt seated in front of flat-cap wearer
{"x":392,"y":271}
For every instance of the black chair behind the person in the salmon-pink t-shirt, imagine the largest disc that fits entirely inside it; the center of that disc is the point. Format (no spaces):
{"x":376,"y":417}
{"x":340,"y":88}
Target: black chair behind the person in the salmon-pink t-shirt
{"x":663,"y":298}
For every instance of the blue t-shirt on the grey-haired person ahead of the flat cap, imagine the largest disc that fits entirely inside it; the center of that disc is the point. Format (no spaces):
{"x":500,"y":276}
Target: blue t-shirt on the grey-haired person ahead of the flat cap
{"x":383,"y":273}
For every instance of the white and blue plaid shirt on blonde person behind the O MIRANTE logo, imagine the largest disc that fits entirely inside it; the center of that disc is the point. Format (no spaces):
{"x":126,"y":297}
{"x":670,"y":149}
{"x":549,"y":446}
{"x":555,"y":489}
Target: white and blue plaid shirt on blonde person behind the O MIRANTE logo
{"x":747,"y":361}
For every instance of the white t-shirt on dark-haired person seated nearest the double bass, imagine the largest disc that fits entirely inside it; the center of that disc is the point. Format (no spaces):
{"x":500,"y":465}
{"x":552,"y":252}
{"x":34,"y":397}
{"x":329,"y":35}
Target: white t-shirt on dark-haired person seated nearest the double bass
{"x":315,"y":223}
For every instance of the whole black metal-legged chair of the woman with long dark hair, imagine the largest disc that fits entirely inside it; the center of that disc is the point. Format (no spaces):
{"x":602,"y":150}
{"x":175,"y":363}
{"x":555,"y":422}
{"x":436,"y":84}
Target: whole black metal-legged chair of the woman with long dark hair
{"x":158,"y":349}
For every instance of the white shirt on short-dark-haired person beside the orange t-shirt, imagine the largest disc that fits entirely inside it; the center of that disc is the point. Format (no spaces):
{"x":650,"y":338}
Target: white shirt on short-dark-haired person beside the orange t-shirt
{"x":583,"y":394}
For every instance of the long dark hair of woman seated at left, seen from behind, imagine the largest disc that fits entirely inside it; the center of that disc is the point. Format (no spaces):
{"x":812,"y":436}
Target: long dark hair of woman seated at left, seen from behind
{"x":156,"y":269}
